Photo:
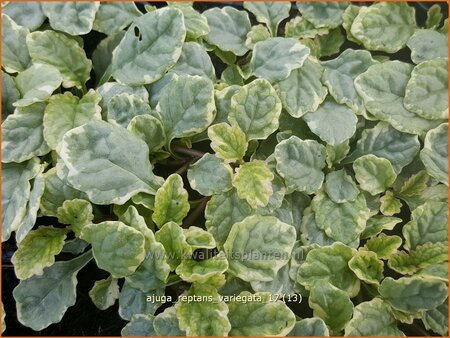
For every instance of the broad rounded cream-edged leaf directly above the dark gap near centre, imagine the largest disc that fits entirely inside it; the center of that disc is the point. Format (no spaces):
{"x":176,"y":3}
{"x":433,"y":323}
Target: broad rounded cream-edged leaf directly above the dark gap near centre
{"x":186,"y":106}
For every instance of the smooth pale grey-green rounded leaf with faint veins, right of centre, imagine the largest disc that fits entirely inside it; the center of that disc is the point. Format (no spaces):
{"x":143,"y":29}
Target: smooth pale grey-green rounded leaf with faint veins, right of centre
{"x":332,"y":122}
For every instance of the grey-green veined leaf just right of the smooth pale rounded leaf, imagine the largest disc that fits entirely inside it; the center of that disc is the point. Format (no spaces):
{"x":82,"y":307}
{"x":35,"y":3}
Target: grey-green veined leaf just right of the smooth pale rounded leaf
{"x":386,"y":142}
